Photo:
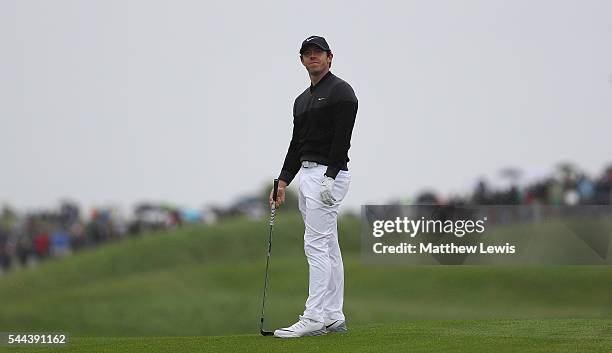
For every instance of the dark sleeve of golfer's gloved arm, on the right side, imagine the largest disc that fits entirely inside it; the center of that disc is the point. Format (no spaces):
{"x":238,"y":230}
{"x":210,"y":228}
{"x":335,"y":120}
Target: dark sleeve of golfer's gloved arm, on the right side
{"x":344,"y":114}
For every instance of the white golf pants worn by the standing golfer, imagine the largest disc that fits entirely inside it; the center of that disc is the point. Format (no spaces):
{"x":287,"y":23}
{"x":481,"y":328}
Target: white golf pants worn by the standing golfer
{"x":326,"y":279}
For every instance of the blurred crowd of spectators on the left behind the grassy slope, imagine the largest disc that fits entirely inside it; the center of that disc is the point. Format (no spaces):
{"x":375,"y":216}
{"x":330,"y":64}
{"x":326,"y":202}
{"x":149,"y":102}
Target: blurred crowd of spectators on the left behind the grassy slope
{"x":26,"y":239}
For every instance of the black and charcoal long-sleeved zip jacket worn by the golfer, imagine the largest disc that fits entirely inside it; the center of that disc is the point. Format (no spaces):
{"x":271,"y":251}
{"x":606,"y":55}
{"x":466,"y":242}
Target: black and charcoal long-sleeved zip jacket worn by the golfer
{"x":323,"y":120}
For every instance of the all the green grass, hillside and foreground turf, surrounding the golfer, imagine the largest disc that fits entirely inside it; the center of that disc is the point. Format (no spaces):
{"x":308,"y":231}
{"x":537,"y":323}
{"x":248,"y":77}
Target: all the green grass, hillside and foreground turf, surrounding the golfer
{"x":207,"y":280}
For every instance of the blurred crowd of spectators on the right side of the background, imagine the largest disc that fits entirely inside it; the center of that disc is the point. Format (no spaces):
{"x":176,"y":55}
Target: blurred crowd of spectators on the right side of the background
{"x":566,"y":192}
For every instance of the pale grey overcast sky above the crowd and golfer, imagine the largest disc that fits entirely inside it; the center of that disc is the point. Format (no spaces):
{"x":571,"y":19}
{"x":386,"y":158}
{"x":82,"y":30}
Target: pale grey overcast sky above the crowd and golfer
{"x":113,"y":102}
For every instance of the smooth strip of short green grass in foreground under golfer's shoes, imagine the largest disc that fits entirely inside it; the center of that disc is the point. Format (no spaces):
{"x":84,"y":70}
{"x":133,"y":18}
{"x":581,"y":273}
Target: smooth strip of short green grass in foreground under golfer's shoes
{"x":521,"y":336}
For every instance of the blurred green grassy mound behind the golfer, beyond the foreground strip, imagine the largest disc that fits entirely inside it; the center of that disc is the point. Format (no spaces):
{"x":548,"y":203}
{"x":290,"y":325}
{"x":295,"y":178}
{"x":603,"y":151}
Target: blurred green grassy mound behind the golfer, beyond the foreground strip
{"x":207,"y":280}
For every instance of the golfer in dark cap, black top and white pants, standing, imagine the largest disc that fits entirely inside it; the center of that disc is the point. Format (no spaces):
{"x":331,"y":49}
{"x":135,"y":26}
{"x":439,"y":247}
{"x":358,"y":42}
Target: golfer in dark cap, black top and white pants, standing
{"x":323,"y":120}
